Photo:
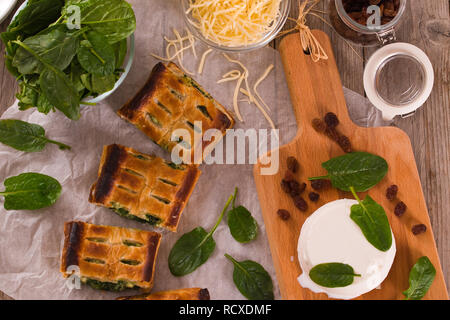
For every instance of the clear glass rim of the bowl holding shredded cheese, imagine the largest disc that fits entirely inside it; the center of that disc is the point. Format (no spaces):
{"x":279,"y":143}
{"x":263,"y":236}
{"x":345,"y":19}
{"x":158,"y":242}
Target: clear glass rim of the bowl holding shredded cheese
{"x":285,"y":5}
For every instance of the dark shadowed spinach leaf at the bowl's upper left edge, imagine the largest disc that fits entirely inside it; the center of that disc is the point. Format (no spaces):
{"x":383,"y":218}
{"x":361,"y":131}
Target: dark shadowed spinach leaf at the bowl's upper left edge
{"x":36,"y":16}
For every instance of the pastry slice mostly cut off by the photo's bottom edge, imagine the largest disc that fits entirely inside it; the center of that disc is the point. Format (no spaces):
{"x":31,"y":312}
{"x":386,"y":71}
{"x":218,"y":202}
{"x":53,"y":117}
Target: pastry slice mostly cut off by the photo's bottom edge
{"x":180,"y":294}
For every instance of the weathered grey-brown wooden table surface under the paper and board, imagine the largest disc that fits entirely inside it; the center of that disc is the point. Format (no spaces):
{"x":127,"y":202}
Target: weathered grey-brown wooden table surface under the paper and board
{"x":426,"y":24}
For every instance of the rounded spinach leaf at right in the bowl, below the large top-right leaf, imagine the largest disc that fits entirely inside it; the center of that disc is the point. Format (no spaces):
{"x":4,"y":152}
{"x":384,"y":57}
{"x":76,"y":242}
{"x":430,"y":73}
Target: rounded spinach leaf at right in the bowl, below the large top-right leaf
{"x":96,"y":55}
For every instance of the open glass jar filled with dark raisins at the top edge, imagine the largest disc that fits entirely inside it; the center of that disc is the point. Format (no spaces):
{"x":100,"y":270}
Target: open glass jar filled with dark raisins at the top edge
{"x":366,"y":22}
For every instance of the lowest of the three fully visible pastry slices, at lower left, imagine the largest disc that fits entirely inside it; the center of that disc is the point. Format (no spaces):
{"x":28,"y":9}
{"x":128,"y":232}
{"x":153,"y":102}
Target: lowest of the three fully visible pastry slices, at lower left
{"x":110,"y":258}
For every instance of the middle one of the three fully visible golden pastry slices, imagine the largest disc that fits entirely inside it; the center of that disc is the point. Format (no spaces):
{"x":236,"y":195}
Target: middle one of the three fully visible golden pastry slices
{"x":141,"y":187}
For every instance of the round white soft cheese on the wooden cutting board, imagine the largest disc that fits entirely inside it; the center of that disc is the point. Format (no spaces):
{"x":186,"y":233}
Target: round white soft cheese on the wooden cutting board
{"x":330,"y":235}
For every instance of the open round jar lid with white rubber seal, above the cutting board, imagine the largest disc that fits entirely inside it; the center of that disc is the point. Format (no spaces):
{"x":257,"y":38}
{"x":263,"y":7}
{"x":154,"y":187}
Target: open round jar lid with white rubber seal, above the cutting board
{"x":398,"y":79}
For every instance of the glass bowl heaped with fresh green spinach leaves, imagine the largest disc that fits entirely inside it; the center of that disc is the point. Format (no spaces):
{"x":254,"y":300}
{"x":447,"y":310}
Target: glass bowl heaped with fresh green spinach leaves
{"x":67,"y":53}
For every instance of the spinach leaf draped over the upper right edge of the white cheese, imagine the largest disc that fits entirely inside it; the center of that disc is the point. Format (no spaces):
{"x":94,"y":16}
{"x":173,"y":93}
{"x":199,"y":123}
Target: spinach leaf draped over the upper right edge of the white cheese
{"x":373,"y":222}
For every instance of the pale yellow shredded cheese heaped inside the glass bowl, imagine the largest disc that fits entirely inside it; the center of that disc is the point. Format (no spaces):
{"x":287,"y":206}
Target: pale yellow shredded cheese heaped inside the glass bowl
{"x":234,"y":23}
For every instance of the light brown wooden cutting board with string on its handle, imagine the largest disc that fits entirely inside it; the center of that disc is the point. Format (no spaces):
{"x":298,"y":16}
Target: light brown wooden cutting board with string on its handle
{"x":316,"y":89}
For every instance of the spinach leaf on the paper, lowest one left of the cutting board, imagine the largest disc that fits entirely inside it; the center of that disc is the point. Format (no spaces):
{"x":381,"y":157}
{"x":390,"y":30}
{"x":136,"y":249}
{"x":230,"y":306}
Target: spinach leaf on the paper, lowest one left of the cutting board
{"x":252,"y":280}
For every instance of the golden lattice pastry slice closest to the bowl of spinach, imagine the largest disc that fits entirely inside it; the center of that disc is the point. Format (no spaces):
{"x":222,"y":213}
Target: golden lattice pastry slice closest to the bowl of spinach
{"x":171,"y":100}
